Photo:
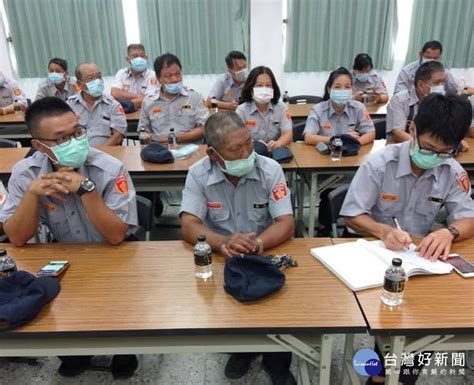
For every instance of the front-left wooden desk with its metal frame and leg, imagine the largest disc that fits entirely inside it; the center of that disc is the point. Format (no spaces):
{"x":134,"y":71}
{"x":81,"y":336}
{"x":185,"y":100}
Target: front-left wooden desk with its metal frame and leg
{"x":142,"y":297}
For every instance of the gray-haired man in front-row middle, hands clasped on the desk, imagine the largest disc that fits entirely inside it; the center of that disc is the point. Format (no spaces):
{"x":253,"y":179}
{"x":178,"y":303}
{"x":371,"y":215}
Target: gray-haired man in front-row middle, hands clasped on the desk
{"x":240,"y":201}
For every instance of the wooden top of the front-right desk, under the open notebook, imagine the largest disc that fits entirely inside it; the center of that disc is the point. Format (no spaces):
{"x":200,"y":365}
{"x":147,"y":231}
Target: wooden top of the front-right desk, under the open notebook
{"x":432,"y":304}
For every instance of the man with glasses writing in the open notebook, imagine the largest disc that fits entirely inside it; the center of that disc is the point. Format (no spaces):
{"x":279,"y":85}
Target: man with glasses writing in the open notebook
{"x":411,"y":181}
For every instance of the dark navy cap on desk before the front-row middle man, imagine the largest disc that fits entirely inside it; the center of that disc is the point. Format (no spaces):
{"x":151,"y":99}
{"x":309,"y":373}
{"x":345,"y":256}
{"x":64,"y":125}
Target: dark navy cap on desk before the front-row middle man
{"x":251,"y":277}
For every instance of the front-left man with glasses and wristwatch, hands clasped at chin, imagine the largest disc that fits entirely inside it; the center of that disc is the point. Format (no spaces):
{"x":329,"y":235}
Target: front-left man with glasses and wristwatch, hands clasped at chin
{"x":82,"y":194}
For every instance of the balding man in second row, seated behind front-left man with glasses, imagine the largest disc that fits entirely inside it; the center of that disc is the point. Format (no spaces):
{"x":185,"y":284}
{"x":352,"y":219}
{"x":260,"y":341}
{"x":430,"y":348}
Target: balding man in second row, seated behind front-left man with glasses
{"x":101,"y":115}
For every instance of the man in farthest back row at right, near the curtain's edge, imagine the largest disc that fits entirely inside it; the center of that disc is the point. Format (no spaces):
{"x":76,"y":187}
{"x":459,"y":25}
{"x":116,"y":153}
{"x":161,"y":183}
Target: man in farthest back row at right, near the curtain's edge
{"x":431,"y":50}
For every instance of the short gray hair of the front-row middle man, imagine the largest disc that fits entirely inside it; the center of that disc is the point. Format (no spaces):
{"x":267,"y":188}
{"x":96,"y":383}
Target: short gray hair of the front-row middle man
{"x":219,"y":125}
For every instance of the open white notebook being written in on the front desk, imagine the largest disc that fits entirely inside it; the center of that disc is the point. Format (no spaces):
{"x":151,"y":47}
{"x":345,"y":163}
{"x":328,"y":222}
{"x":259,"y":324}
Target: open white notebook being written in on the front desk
{"x":362,"y":264}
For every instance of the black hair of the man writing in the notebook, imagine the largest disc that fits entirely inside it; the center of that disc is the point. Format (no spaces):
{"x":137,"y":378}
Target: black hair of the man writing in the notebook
{"x":446,"y":117}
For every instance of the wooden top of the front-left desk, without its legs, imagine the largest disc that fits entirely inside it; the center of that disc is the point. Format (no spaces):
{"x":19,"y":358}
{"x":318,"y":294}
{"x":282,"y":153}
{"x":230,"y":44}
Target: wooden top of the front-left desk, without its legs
{"x":150,"y":288}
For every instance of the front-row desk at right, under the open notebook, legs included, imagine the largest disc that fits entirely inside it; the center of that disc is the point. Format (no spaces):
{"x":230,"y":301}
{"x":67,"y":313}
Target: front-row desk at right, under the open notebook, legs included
{"x":437,"y":313}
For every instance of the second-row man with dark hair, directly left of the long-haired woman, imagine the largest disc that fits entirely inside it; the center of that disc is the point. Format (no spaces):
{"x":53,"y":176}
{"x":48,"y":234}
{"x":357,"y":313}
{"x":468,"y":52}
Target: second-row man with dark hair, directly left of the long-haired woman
{"x":173,"y":105}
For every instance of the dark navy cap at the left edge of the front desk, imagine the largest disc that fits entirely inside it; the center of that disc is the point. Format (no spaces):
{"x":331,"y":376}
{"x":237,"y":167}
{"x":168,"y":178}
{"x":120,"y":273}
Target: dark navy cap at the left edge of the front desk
{"x":22,"y":296}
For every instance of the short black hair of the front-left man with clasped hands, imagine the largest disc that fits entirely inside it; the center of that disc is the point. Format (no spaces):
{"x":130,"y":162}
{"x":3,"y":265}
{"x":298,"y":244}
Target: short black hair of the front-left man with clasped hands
{"x":44,"y":108}
